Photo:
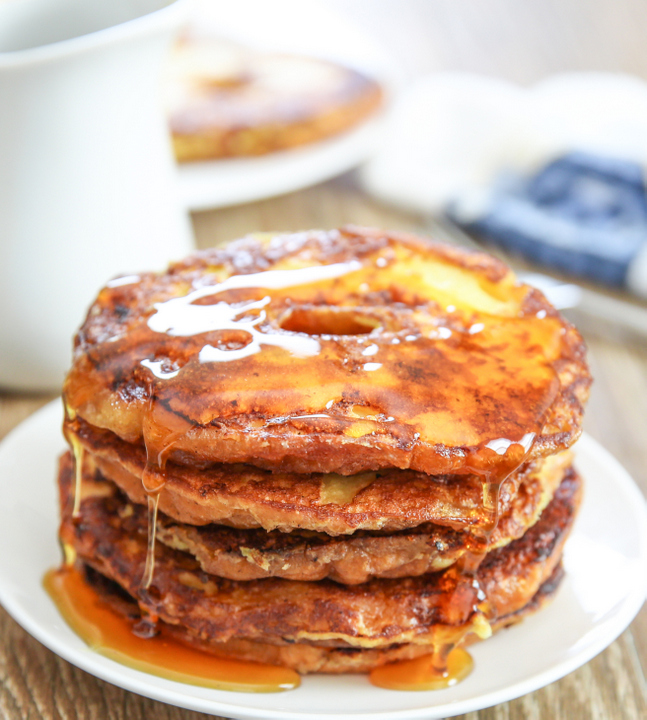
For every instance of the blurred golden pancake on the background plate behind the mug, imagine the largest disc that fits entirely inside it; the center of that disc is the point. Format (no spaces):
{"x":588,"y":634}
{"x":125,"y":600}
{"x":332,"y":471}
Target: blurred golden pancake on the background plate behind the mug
{"x":225,"y":100}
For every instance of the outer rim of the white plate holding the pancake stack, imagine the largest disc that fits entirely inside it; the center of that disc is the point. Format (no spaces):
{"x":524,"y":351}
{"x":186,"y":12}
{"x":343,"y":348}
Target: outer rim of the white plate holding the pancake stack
{"x":176,"y":694}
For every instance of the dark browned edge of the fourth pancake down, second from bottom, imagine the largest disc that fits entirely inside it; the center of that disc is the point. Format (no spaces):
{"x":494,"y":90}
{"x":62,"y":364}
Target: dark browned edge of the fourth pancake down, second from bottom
{"x":375,"y":614}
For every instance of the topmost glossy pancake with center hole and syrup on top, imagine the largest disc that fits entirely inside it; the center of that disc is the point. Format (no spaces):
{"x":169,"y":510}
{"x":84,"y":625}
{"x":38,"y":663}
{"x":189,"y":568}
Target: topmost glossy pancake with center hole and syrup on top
{"x":331,"y":351}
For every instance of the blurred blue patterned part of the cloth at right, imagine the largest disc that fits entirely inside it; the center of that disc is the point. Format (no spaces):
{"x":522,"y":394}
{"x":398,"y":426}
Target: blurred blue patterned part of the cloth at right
{"x":583,"y":214}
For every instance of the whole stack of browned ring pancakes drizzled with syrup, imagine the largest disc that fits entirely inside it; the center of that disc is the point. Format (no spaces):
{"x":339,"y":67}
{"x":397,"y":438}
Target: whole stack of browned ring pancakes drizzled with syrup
{"x":324,"y":450}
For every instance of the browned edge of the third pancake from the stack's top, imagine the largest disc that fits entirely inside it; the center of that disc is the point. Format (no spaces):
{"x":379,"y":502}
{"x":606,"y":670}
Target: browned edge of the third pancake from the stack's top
{"x":240,"y":554}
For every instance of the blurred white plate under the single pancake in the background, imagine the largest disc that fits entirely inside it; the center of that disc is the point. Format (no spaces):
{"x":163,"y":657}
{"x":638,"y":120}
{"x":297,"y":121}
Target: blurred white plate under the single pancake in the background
{"x":302,"y":27}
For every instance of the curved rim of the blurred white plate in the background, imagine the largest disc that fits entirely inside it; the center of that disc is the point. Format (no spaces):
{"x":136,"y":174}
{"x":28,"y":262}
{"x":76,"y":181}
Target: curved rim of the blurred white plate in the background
{"x":349,"y":147}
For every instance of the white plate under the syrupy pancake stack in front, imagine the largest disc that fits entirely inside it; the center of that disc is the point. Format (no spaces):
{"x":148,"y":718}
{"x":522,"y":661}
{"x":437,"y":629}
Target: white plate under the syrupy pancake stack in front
{"x":591,"y":608}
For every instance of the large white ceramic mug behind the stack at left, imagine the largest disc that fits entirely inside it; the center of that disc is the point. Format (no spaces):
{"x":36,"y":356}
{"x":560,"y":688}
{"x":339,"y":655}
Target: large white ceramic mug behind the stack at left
{"x":87,"y":178}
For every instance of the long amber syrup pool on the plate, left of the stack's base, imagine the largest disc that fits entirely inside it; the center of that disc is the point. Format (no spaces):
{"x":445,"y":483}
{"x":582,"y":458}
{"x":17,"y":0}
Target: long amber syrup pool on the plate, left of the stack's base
{"x":111,"y":634}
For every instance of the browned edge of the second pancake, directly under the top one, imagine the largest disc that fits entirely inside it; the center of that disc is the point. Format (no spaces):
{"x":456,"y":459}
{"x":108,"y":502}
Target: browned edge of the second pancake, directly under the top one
{"x":246,"y":497}
